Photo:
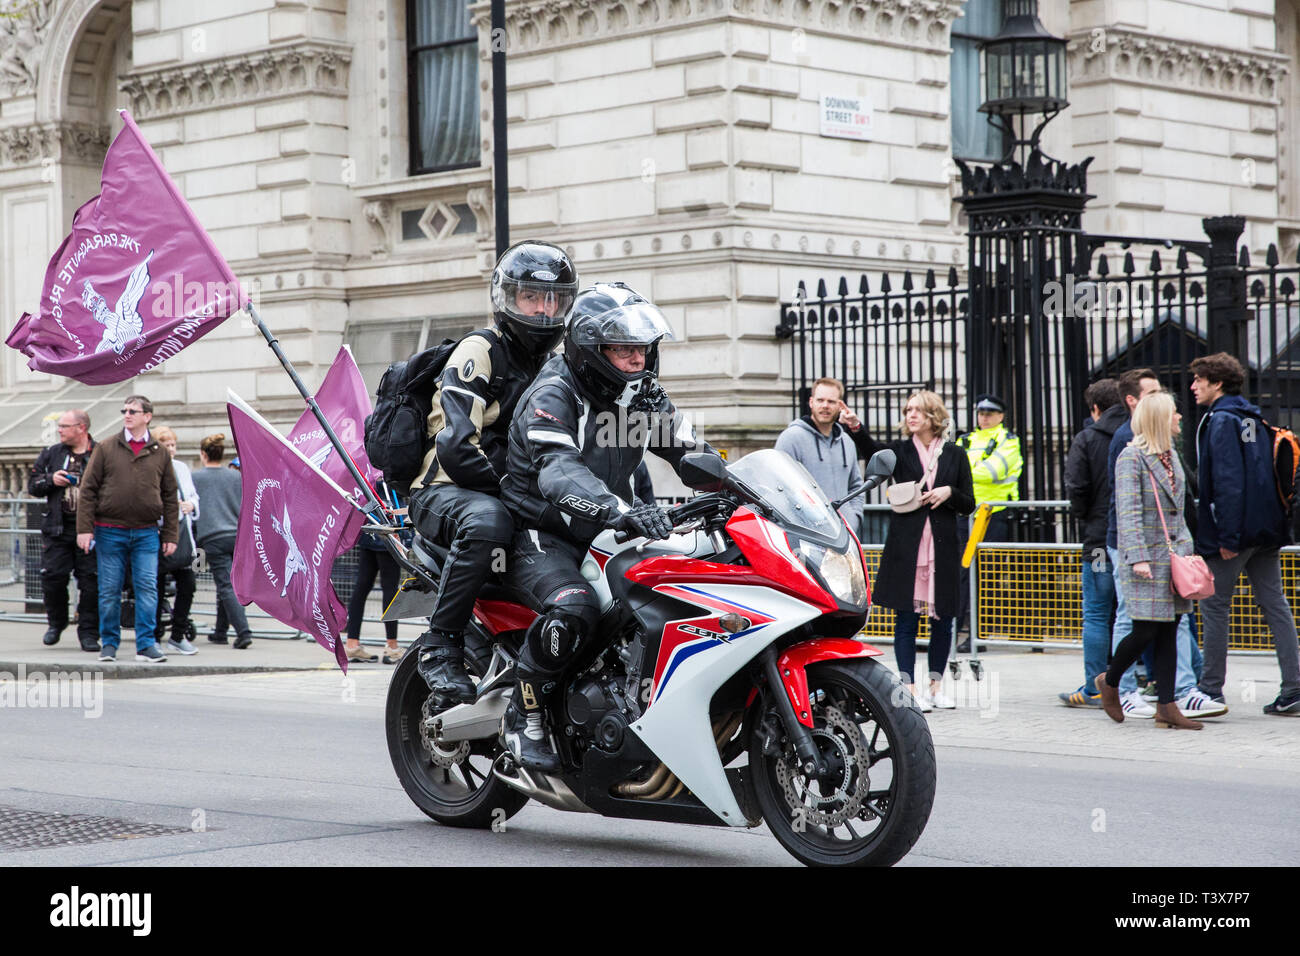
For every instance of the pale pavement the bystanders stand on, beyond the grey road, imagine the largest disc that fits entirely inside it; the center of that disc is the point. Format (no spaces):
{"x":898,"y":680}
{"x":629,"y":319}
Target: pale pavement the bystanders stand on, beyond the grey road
{"x":1013,"y":707}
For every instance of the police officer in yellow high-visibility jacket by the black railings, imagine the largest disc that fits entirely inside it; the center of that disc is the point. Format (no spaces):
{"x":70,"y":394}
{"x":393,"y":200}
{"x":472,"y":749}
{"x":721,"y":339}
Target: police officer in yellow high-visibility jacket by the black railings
{"x":996,"y":466}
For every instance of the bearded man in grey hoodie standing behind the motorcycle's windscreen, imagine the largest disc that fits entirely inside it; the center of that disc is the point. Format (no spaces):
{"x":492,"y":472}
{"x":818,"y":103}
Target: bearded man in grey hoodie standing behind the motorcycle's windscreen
{"x":820,"y":444}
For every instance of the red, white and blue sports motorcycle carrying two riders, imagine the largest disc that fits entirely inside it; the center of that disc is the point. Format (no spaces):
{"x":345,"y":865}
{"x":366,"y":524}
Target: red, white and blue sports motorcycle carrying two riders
{"x":725,"y":685}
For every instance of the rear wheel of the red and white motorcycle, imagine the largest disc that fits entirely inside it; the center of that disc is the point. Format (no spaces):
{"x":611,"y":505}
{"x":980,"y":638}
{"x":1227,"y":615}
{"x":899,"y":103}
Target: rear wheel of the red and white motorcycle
{"x":465,"y":794}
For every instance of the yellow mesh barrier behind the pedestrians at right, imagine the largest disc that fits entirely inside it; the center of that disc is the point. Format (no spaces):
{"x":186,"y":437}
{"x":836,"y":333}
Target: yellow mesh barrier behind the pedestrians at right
{"x":1034,"y":595}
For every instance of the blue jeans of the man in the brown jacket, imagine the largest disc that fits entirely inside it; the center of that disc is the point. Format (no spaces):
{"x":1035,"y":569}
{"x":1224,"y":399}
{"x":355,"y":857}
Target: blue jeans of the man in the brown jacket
{"x":114,"y":548}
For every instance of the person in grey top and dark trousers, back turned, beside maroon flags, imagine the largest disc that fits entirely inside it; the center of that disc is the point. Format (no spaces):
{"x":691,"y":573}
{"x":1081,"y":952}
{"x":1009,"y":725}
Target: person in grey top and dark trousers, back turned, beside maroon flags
{"x":220,"y":490}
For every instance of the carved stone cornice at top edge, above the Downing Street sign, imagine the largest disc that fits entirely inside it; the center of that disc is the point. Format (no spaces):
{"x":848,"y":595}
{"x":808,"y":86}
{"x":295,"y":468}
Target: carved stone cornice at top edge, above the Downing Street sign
{"x":536,"y":24}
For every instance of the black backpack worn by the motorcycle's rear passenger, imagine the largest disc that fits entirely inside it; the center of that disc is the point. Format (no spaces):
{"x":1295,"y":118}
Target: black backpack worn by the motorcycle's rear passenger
{"x":397,"y":438}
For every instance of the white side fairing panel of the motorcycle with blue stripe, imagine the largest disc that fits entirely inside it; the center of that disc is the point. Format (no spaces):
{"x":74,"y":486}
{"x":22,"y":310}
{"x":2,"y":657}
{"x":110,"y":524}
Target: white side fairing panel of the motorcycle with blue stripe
{"x":677,"y":726}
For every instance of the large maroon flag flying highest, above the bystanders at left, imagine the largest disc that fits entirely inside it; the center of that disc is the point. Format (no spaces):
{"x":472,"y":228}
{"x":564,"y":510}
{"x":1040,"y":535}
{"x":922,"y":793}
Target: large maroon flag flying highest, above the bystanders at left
{"x":135,"y":283}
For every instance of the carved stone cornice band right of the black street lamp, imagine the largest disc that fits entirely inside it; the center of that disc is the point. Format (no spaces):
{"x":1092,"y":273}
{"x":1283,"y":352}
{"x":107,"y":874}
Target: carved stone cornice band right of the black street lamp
{"x":1111,"y":54}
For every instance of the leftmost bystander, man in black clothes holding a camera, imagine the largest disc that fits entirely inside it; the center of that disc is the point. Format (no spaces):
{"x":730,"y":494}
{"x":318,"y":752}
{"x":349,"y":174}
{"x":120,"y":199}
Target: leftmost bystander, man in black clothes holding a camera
{"x":55,"y":478}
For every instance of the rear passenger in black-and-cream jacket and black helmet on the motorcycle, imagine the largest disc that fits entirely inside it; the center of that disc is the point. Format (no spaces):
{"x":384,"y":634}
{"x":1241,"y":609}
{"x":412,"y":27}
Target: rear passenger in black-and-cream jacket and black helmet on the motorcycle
{"x":457,"y":503}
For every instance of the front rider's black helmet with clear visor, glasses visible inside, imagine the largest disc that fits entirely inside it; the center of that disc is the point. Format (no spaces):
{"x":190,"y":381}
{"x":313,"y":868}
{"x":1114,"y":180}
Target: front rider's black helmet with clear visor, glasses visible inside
{"x":610,"y":314}
